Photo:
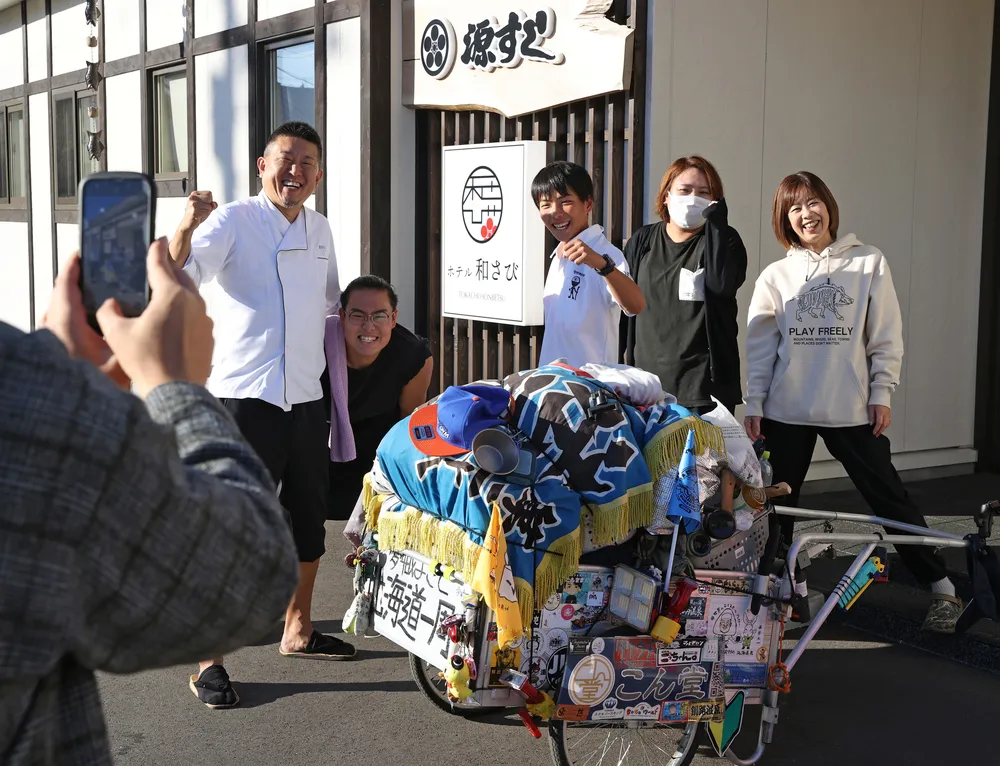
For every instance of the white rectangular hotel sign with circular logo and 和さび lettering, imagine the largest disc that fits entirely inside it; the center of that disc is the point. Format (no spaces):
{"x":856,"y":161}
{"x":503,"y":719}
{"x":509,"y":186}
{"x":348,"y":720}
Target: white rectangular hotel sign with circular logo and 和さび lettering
{"x":492,"y":239}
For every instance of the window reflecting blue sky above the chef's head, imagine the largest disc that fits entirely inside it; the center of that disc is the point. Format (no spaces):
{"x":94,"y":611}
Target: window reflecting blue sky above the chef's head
{"x":291,"y":88}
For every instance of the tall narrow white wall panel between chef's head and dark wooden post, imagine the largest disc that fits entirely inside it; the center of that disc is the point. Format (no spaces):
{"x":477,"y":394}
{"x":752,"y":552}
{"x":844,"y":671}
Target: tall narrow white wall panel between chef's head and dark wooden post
{"x":343,"y":141}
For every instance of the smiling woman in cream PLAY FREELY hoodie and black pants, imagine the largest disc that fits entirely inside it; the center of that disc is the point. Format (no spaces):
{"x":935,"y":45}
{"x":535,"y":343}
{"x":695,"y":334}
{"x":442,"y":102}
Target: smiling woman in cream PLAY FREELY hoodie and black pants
{"x":824,"y":353}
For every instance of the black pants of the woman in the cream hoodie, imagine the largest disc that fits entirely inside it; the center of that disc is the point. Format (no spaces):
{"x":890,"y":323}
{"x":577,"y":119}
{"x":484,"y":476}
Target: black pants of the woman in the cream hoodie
{"x":868,"y":461}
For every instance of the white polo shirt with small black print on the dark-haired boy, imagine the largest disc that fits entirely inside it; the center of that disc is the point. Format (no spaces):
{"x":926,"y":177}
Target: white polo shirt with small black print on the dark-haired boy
{"x":581,"y":315}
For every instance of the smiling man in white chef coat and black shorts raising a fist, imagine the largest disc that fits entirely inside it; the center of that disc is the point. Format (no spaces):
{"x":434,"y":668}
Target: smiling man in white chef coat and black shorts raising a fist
{"x":273,"y":262}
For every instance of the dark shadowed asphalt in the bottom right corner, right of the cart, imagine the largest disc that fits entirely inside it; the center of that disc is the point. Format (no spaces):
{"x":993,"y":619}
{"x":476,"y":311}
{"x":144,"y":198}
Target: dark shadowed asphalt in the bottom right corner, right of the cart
{"x":876,"y":705}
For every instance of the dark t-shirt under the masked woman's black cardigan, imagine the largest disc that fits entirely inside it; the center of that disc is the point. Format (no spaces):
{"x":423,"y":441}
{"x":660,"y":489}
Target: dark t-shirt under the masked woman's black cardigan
{"x":671,"y":337}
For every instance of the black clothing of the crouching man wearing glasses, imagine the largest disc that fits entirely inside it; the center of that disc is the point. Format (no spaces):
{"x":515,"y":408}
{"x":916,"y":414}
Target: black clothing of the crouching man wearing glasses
{"x":373,"y":405}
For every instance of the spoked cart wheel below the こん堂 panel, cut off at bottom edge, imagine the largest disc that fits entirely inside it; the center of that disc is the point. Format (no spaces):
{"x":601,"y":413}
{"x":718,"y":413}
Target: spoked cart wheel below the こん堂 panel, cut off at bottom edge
{"x":640,"y":743}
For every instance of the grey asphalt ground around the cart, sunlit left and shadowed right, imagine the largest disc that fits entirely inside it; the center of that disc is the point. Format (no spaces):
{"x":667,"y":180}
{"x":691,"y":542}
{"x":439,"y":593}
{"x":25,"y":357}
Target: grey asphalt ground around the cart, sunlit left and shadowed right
{"x":855,"y":699}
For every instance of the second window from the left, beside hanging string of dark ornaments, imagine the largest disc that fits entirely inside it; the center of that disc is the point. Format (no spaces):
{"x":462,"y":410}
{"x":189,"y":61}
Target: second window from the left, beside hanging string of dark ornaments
{"x":71,"y":123}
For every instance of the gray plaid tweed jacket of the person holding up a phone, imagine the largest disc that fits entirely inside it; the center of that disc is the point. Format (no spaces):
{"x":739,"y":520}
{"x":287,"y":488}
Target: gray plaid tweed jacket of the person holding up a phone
{"x":132,"y":536}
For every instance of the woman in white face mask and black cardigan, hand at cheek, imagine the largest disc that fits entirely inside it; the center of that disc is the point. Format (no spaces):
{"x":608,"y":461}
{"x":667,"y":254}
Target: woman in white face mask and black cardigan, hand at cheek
{"x":689,"y":265}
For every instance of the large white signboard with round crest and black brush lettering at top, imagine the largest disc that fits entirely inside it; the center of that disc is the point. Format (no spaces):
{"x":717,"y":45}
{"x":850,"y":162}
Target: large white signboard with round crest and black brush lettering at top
{"x":512,"y":56}
